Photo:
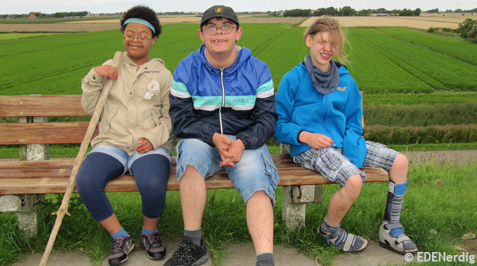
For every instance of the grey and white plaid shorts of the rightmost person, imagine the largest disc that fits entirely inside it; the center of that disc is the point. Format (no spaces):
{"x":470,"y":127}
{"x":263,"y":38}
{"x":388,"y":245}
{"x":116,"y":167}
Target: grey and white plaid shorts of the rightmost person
{"x":335,"y":167}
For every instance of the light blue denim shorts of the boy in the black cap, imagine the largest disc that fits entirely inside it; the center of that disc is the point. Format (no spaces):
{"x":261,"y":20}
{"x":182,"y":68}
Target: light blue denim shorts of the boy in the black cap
{"x":254,"y":172}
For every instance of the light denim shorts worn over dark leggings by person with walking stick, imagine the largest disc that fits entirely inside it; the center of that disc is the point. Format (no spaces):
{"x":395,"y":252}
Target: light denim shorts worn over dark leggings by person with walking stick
{"x":126,"y":159}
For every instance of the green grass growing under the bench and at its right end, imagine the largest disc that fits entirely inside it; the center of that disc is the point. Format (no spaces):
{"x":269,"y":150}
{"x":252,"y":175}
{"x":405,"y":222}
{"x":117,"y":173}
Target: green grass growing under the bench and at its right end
{"x":438,"y":210}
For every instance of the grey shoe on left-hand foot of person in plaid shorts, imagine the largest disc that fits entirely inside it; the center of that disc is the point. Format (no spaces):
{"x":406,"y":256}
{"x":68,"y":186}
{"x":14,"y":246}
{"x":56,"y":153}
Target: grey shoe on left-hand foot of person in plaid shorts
{"x":344,"y":241}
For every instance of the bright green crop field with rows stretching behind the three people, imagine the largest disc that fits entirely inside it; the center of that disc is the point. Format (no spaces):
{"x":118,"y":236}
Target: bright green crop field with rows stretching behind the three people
{"x":410,"y":78}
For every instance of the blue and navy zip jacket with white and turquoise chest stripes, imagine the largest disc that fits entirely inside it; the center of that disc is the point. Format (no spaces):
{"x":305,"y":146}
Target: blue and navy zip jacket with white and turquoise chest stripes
{"x":238,"y":100}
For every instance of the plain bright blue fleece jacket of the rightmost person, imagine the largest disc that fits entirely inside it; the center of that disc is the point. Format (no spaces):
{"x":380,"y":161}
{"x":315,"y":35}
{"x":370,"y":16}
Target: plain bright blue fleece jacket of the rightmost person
{"x":337,"y":115}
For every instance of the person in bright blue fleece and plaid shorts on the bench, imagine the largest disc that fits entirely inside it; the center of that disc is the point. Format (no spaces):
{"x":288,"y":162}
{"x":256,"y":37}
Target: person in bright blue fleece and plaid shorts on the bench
{"x":320,"y":116}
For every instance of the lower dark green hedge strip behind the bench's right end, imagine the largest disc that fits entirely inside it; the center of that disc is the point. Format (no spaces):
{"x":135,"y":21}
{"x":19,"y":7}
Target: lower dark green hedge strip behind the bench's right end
{"x":420,"y":135}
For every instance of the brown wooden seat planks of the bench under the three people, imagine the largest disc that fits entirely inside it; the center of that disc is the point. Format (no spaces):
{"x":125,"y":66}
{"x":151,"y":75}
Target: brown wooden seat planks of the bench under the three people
{"x":41,"y":177}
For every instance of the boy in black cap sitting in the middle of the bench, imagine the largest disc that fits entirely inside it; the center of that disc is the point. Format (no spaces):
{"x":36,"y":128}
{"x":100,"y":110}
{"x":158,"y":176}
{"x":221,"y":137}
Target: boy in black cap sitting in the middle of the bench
{"x":223,"y":109}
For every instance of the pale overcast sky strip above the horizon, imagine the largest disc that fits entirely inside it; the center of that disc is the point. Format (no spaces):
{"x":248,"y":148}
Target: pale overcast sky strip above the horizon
{"x":112,"y":6}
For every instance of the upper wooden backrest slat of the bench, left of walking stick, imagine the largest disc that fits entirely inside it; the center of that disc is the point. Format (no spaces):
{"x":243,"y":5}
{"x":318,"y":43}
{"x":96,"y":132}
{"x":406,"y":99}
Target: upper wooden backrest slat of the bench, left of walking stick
{"x":34,"y":105}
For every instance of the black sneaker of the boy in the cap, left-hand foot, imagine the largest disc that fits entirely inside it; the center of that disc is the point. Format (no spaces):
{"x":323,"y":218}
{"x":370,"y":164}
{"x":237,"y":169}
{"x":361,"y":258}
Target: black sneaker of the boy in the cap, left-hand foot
{"x":188,"y":254}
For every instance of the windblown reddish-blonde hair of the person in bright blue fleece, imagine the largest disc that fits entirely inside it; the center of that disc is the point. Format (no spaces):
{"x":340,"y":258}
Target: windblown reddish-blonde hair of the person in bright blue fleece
{"x":326,"y":23}
